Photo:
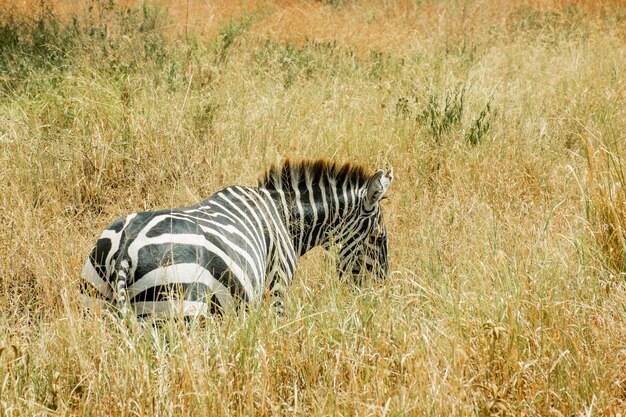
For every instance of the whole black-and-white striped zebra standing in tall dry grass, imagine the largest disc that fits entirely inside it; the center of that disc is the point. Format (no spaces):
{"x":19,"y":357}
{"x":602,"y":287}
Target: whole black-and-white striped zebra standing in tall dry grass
{"x":240,"y":244}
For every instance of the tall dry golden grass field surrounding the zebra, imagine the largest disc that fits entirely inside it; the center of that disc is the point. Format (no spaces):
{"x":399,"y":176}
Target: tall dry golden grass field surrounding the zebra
{"x":505,"y":125}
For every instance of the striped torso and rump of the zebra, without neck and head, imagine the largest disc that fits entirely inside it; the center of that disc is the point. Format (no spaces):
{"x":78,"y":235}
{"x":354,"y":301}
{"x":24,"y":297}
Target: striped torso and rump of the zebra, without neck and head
{"x":186,"y":260}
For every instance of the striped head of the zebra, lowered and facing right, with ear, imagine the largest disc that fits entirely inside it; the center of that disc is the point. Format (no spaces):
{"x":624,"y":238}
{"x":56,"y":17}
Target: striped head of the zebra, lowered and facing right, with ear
{"x":362,"y":241}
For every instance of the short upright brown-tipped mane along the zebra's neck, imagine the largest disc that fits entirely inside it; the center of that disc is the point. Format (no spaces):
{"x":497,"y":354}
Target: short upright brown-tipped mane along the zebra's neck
{"x":318,"y":170}
